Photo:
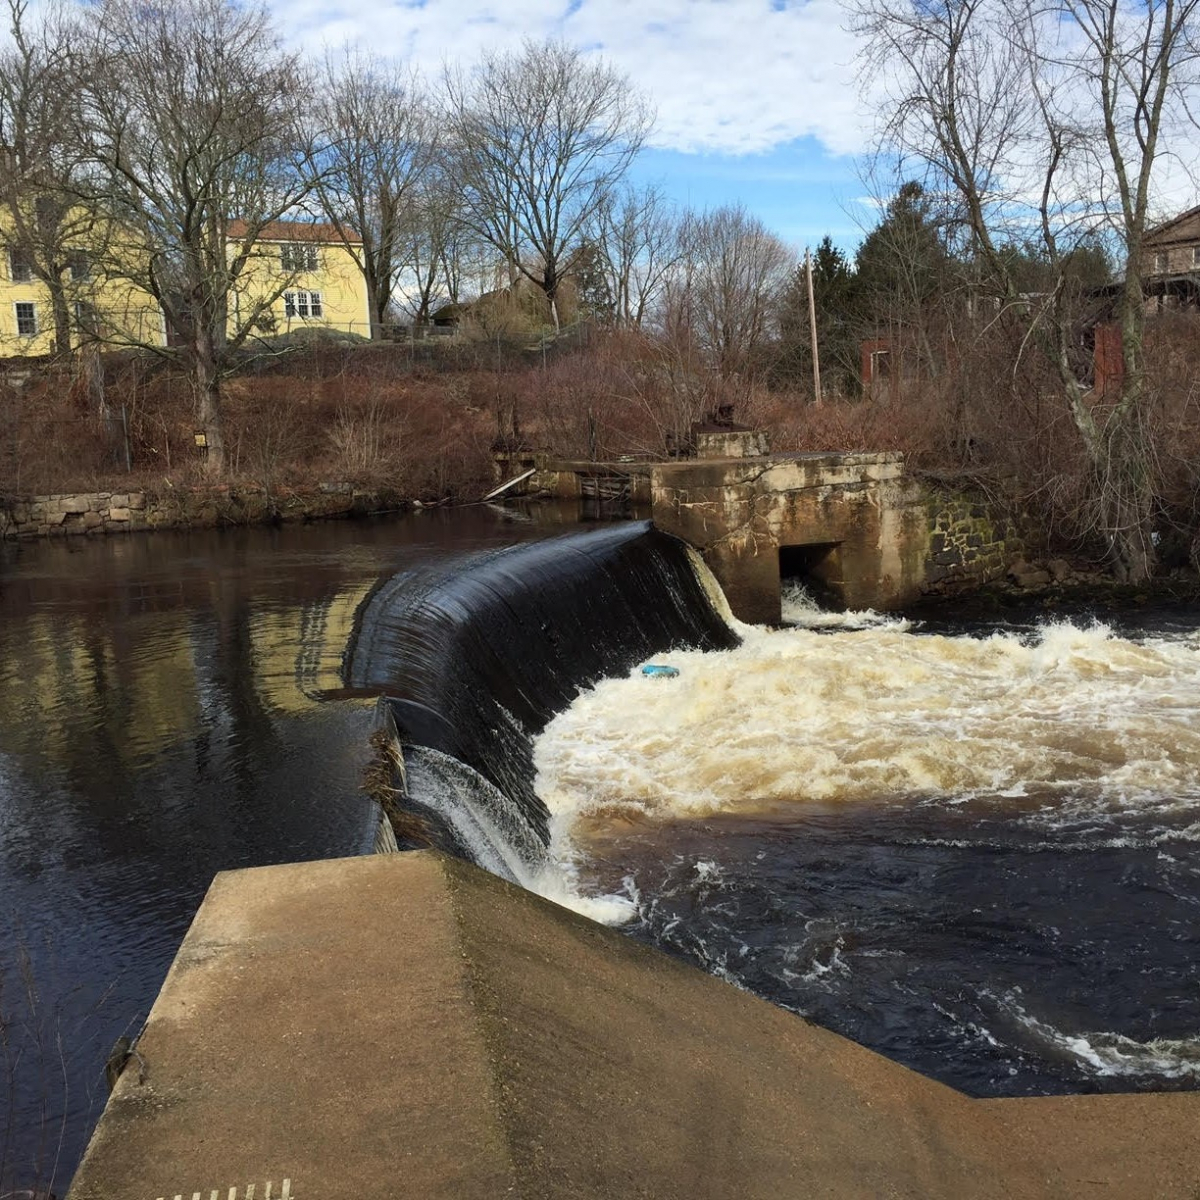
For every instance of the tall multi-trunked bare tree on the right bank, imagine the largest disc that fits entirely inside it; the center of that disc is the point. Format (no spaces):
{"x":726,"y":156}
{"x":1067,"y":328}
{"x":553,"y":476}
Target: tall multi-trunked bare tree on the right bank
{"x":1052,"y":117}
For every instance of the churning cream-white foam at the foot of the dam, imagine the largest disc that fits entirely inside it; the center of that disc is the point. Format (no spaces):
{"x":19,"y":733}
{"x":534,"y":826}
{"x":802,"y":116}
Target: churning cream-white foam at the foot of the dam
{"x":1075,"y":716}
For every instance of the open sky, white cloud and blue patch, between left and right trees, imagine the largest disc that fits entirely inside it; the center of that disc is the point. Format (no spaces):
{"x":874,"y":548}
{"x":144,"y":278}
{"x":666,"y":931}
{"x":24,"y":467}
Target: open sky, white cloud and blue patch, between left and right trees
{"x":757,"y":100}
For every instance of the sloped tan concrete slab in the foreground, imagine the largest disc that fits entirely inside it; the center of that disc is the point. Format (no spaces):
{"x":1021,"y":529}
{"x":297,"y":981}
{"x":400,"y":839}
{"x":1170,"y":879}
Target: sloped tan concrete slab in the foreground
{"x":406,"y":1025}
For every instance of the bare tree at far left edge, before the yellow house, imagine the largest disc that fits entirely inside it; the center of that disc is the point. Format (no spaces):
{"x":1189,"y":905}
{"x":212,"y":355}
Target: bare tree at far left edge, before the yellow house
{"x":49,"y":235}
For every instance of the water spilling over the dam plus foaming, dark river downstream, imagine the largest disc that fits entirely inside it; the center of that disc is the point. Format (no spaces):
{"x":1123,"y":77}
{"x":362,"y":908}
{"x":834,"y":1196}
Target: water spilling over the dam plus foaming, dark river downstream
{"x":975,"y":853}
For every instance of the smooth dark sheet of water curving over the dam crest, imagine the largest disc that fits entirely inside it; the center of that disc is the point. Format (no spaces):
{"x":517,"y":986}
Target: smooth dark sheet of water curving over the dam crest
{"x":476,"y":658}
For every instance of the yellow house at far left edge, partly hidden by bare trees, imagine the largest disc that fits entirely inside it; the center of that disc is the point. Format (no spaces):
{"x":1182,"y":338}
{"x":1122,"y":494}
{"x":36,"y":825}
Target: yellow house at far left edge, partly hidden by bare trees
{"x":100,"y":308}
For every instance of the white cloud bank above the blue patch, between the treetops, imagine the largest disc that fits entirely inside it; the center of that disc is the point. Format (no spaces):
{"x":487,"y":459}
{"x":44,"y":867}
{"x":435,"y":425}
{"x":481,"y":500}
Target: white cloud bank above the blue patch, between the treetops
{"x":727,"y":76}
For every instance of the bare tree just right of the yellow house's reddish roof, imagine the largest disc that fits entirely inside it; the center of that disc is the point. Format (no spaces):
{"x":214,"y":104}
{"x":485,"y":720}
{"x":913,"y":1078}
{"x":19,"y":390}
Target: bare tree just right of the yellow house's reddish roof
{"x":382,"y":143}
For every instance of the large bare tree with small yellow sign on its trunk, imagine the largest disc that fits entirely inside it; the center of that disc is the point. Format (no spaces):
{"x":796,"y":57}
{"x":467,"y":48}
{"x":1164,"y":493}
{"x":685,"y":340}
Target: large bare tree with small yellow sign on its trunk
{"x":193,"y":130}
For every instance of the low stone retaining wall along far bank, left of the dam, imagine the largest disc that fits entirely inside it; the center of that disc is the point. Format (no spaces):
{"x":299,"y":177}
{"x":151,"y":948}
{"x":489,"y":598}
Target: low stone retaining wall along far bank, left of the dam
{"x":93,"y":513}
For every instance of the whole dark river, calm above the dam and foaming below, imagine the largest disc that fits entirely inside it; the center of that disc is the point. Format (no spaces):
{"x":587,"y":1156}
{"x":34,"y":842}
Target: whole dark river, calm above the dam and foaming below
{"x":973,"y":847}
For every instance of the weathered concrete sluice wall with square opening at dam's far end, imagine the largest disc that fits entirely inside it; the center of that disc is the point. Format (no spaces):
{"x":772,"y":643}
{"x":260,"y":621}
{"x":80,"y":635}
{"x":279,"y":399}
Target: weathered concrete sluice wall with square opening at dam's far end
{"x":741,"y":513}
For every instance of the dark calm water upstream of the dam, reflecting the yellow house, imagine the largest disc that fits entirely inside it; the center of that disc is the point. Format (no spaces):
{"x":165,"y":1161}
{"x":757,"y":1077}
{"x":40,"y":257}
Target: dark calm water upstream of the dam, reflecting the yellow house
{"x":171,"y":707}
